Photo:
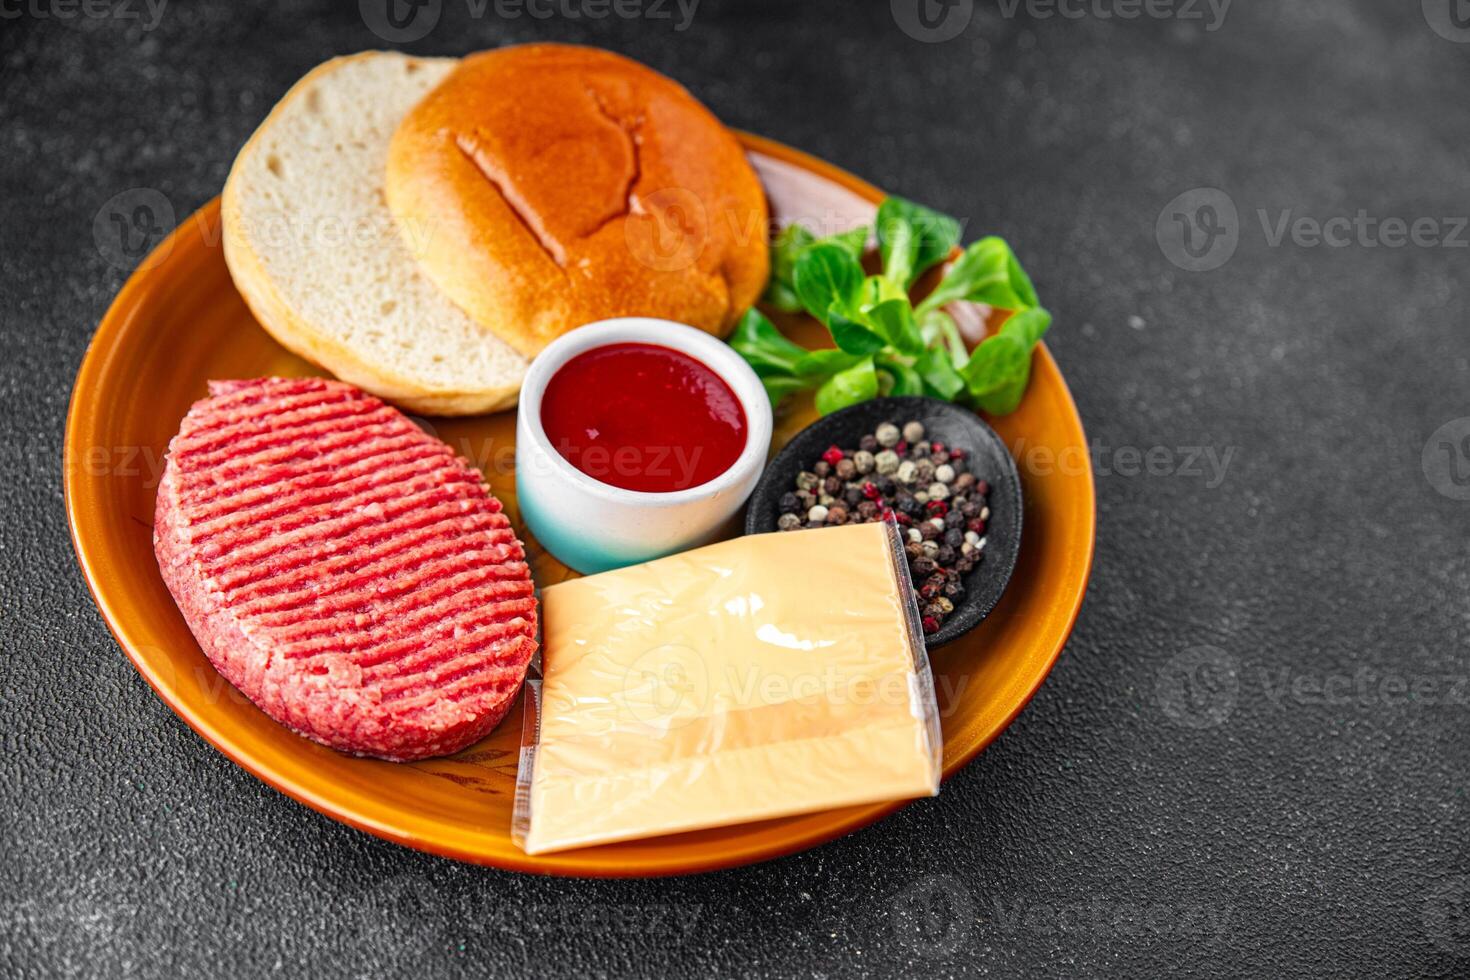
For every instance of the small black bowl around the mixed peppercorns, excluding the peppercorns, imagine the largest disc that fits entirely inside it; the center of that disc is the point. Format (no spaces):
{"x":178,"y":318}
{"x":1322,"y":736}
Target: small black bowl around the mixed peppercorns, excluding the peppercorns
{"x":953,"y":425}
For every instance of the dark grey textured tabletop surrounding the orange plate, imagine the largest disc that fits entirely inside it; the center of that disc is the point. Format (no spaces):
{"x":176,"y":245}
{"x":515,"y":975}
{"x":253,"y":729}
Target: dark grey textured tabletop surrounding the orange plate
{"x":1252,"y":759}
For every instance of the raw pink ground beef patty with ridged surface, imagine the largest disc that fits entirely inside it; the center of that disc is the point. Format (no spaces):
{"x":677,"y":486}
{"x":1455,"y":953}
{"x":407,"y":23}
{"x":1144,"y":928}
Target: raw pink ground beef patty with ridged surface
{"x":345,"y":571}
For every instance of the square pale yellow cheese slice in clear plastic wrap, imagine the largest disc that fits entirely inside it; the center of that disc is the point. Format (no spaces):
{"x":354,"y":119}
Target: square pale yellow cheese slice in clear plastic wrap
{"x":765,"y":677}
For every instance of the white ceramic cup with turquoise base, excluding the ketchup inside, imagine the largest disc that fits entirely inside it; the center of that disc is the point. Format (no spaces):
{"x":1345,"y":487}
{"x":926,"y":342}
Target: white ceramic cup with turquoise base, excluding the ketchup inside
{"x":593,"y":527}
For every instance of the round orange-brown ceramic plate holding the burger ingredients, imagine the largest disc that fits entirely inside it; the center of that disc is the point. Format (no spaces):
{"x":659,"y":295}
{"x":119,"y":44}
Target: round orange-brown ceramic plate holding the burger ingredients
{"x":180,"y":323}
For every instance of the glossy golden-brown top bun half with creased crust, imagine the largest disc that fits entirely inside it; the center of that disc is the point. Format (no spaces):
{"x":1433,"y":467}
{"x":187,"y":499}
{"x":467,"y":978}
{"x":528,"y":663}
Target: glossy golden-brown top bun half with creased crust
{"x":553,"y":186}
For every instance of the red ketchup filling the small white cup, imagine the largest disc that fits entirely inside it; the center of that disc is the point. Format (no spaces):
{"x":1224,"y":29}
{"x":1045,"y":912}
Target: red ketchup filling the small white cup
{"x":643,"y":418}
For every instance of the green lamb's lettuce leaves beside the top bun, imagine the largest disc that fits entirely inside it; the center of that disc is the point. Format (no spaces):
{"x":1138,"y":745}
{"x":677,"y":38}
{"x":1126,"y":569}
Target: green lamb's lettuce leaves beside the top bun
{"x":886,"y":345}
